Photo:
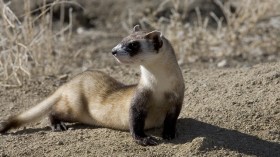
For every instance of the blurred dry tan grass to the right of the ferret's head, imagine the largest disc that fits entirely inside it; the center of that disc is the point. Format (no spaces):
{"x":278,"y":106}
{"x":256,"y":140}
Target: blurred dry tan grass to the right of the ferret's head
{"x":242,"y":35}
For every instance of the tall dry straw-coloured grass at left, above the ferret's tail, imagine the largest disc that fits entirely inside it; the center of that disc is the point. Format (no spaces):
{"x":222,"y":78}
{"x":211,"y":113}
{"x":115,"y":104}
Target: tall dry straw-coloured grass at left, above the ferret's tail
{"x":25,"y":45}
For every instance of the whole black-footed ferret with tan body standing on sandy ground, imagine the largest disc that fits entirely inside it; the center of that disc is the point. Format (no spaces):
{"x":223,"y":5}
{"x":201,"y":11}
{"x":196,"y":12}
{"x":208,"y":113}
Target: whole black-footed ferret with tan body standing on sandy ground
{"x":97,"y":99}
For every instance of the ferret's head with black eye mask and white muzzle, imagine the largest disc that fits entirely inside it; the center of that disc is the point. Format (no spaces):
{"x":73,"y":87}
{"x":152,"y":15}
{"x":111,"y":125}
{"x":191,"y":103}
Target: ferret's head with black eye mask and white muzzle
{"x":139,"y":48}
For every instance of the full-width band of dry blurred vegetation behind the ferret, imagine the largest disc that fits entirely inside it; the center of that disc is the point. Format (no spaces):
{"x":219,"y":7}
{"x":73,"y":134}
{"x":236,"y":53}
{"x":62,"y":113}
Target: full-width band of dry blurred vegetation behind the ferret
{"x":56,"y":37}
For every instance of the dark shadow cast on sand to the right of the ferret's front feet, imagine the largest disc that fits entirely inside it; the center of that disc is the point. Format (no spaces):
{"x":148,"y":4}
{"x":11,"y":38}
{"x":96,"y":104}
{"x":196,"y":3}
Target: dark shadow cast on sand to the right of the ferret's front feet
{"x":189,"y":129}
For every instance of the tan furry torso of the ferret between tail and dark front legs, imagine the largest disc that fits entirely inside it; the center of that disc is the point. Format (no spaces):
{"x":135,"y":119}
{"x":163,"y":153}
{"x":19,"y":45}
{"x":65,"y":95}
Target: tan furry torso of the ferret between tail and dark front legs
{"x":95,"y":98}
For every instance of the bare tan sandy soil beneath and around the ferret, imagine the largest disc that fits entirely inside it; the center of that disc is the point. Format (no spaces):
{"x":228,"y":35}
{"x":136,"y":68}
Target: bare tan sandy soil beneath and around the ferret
{"x":232,"y":111}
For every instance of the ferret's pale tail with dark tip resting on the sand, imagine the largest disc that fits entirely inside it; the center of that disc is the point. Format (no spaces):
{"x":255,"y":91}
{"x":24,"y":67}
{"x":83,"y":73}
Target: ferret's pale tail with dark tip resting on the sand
{"x":31,"y":115}
